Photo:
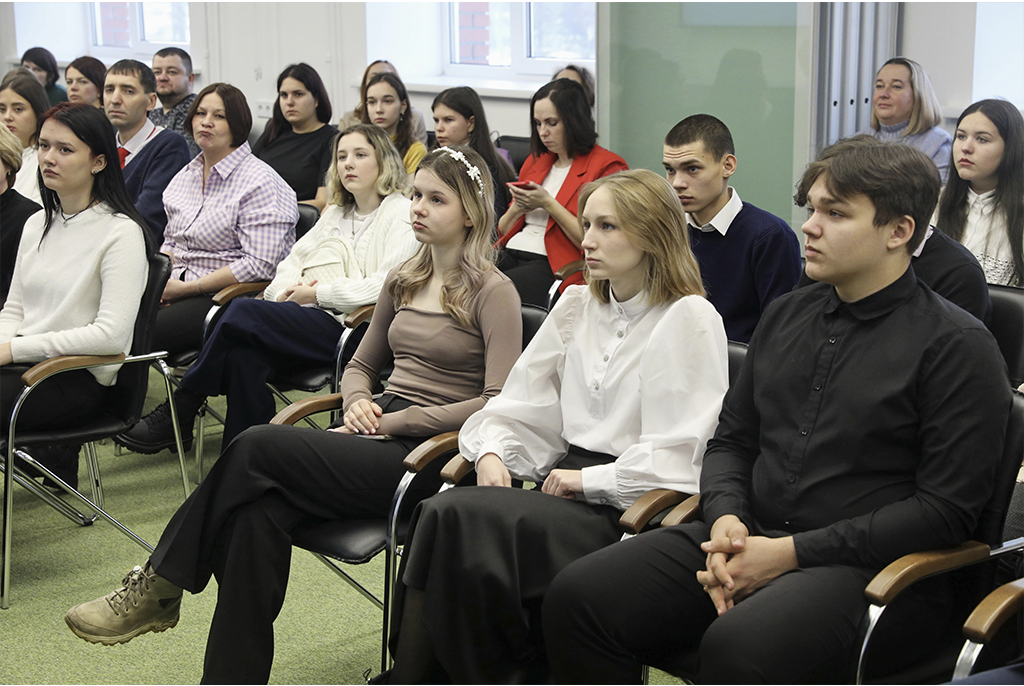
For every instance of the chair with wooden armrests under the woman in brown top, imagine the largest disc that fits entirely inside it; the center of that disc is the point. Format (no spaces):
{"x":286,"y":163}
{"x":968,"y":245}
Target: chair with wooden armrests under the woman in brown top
{"x":358,"y":542}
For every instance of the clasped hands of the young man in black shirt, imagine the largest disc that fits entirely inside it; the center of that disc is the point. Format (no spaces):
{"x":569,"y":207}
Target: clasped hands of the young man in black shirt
{"x":739,"y":564}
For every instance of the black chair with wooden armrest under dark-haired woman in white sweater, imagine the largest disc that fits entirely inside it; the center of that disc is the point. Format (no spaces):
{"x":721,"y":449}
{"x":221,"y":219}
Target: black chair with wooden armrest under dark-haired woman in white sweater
{"x":122,"y":410}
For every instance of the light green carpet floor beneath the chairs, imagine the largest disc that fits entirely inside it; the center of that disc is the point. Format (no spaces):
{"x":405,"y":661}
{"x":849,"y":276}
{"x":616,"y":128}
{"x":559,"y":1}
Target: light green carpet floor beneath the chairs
{"x":327,"y":633}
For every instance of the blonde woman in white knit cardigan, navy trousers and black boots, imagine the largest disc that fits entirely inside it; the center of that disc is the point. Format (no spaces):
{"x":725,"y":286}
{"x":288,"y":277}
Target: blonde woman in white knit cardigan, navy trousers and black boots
{"x":338,"y":267}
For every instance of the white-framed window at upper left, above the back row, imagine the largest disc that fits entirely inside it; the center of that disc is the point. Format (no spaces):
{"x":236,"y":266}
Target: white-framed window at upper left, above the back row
{"x":126,"y":29}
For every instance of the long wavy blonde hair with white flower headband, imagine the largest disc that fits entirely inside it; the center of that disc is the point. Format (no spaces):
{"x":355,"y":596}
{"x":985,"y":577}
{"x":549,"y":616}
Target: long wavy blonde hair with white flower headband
{"x":463,"y":170}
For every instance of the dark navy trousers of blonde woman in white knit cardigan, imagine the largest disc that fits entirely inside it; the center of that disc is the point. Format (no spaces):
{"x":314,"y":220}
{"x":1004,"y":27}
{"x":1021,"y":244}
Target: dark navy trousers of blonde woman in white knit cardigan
{"x":252,"y":342}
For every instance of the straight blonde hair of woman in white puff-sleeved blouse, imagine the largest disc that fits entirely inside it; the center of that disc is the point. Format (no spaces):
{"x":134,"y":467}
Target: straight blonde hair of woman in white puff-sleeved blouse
{"x":651,"y":216}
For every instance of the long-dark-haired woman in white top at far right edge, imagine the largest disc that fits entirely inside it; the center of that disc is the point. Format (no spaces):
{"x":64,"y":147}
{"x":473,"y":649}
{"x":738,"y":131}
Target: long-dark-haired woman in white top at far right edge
{"x":983,"y":205}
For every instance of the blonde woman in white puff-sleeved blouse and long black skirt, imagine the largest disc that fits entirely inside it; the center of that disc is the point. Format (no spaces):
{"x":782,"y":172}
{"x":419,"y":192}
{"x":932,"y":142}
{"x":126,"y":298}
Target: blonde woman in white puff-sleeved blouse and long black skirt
{"x":618,"y":394}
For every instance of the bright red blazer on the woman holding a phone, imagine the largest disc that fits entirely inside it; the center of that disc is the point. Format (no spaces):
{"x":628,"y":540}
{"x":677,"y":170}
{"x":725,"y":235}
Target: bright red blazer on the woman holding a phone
{"x":585,"y":169}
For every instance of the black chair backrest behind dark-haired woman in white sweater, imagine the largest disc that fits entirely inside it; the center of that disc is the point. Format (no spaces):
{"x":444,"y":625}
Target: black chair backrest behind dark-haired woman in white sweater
{"x":129,"y":395}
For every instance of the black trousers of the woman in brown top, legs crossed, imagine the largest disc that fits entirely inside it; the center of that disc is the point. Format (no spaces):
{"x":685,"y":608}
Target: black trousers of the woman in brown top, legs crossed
{"x":237,"y":527}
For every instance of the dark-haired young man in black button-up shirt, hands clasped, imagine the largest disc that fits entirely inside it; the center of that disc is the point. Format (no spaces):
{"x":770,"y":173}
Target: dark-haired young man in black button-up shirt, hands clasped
{"x":868,"y":423}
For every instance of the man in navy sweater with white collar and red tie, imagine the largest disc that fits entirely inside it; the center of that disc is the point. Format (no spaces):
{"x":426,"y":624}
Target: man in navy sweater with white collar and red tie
{"x":151,"y":155}
